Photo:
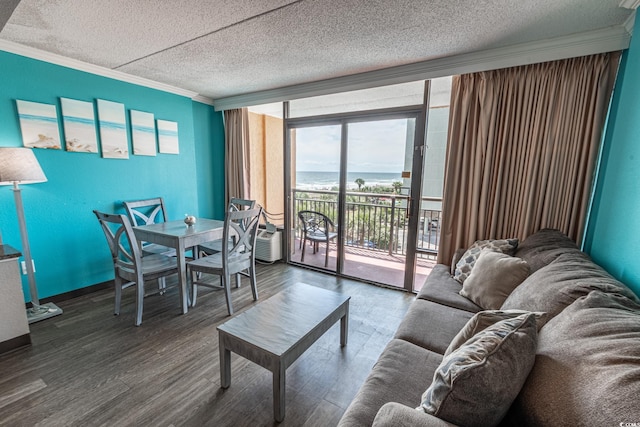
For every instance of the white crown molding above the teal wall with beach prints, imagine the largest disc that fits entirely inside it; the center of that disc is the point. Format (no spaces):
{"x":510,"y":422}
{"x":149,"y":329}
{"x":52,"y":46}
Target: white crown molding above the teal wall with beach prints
{"x":98,"y":70}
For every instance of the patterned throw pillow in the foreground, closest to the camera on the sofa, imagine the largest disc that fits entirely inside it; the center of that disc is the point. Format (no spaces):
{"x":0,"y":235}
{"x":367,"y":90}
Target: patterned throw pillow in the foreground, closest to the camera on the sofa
{"x":476,"y":384}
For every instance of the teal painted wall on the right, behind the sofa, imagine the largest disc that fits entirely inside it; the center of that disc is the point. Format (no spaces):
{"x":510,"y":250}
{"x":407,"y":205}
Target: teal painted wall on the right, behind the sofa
{"x":613,"y":232}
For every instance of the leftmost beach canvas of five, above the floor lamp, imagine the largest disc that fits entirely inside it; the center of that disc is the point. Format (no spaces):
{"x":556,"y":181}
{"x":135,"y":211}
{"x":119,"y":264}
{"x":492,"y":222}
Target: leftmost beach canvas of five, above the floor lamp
{"x":38,"y":124}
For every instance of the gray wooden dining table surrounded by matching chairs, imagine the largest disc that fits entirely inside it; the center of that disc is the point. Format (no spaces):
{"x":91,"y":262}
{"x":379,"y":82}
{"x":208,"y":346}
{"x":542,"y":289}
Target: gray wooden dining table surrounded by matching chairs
{"x":182,"y":237}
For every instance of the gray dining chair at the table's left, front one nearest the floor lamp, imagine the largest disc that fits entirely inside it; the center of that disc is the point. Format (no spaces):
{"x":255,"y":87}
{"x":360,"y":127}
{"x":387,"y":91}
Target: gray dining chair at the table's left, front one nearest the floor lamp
{"x":129,"y":266}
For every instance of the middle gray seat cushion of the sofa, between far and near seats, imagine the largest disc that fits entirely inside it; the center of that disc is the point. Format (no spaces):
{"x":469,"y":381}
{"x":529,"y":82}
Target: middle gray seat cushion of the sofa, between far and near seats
{"x":431,"y":326}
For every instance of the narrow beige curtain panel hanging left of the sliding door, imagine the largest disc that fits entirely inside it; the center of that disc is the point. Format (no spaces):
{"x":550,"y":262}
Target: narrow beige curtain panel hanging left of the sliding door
{"x":236,"y":136}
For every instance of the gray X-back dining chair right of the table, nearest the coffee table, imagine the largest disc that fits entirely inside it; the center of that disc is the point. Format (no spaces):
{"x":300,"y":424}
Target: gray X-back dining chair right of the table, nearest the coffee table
{"x":237,"y":258}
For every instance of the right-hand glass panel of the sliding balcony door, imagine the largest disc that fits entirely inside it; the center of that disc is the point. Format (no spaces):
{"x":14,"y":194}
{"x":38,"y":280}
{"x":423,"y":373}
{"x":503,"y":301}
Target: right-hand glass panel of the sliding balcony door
{"x":377,"y":192}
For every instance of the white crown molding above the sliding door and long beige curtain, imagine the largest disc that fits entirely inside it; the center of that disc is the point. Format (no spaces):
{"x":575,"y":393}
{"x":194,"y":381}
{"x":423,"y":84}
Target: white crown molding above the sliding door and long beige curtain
{"x":587,"y":43}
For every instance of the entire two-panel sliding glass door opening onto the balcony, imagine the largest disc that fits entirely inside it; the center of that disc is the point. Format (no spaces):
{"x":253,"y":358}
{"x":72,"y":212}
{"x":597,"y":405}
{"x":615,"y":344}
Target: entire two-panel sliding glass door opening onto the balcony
{"x":357,"y":170}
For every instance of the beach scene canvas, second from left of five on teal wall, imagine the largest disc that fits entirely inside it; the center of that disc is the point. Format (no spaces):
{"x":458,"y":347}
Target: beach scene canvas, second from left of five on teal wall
{"x":79,"y":126}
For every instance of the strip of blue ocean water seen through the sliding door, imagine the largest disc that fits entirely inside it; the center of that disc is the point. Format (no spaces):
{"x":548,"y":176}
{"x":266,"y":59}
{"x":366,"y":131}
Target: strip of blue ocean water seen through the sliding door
{"x":306,"y":180}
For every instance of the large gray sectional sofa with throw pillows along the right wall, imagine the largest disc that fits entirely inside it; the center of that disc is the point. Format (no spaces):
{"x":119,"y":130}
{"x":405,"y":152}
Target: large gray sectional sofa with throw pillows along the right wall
{"x":585,"y":370}
